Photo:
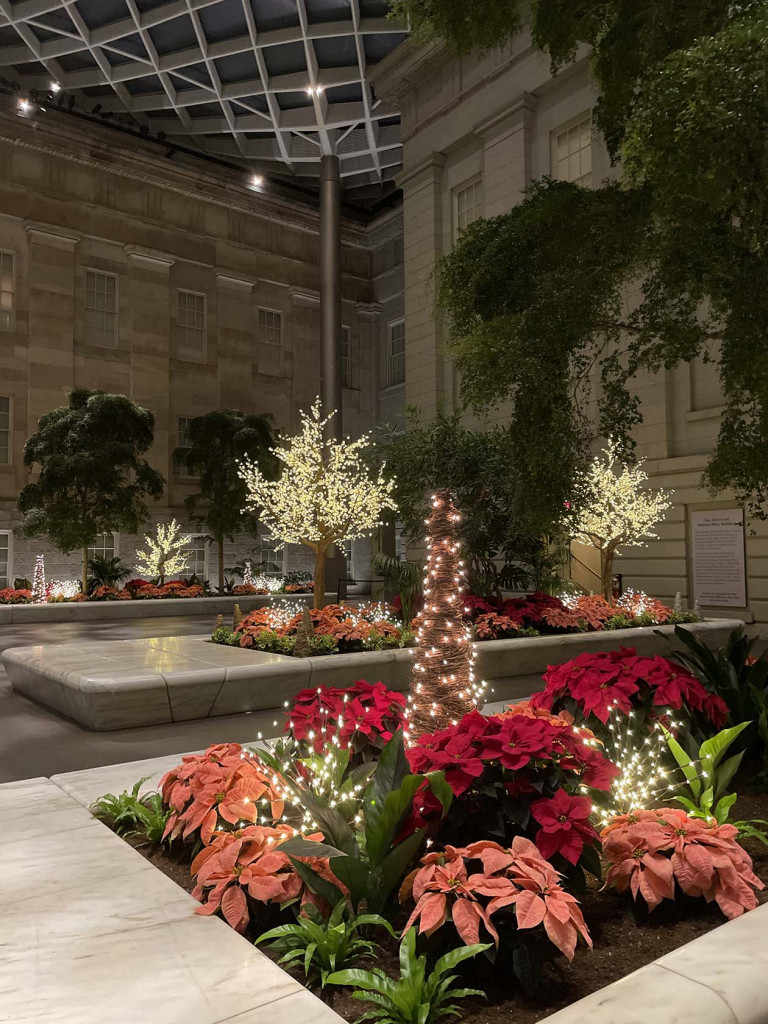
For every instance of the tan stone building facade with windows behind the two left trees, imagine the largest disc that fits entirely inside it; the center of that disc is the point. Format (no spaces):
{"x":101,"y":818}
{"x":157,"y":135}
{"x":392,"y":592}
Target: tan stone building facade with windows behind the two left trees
{"x":180,"y":284}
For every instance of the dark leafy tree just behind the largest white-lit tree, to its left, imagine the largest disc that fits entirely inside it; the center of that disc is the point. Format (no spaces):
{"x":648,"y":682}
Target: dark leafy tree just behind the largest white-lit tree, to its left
{"x":219,"y":443}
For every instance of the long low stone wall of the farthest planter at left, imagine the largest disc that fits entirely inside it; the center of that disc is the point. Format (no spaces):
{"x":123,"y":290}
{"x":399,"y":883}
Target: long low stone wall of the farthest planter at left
{"x":97,"y":612}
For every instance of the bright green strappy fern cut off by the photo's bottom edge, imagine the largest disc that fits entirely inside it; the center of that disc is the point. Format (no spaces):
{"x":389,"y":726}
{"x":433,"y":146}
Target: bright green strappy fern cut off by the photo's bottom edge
{"x":415,"y":998}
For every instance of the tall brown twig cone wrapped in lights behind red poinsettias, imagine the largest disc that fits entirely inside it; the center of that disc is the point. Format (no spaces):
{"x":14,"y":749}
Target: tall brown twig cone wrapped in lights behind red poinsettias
{"x":443,"y":688}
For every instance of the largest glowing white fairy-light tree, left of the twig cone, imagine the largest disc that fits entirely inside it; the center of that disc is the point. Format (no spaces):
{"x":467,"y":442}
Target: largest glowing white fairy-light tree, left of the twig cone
{"x":325,"y":494}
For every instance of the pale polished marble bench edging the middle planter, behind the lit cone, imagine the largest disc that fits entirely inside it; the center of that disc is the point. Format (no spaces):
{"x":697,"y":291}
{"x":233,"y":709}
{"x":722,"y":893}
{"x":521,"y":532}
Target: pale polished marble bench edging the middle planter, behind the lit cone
{"x":118,"y":685}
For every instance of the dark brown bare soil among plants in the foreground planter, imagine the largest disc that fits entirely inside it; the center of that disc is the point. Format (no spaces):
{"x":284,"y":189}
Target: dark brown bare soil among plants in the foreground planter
{"x":622,"y":945}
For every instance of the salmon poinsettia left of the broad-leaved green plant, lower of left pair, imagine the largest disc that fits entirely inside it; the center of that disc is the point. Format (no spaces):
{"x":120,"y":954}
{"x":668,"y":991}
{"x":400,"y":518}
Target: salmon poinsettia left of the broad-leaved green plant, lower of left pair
{"x":250,"y":862}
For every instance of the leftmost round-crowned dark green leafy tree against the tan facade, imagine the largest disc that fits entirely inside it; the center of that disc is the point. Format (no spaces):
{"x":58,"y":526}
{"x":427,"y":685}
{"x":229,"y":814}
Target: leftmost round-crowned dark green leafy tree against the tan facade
{"x":93,"y":479}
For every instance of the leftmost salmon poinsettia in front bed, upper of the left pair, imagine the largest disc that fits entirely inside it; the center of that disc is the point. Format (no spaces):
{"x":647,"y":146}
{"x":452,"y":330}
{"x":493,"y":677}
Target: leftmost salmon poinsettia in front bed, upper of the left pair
{"x":226,"y":787}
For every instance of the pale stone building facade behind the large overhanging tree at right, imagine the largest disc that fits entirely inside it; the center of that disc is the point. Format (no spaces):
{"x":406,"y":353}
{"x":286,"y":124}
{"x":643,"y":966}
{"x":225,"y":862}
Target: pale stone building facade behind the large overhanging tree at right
{"x":476,"y":132}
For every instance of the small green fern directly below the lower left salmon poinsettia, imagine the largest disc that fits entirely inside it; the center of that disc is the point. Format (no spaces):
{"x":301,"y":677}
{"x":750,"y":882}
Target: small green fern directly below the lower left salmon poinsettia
{"x":324,"y":947}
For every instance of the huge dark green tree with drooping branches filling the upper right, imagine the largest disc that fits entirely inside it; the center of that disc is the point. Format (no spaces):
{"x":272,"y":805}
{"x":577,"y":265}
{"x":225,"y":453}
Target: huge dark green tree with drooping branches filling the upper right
{"x":534,"y":310}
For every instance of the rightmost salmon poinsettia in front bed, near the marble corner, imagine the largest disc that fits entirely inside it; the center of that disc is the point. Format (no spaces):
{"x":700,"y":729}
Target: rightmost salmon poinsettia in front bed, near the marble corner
{"x":652,"y":850}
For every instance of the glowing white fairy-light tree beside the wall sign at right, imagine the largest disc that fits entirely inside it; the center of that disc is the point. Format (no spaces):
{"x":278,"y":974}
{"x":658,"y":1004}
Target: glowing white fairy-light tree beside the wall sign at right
{"x":620,"y":511}
